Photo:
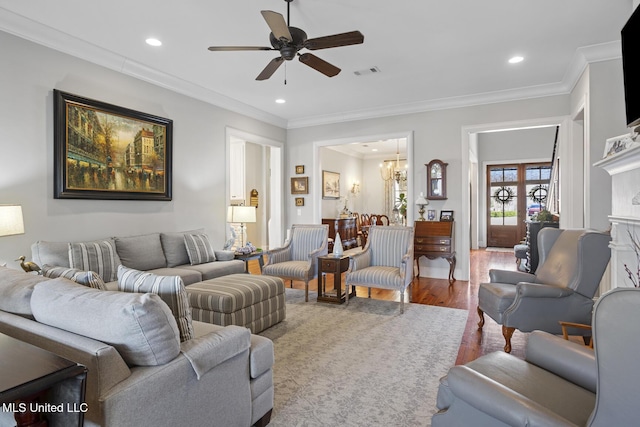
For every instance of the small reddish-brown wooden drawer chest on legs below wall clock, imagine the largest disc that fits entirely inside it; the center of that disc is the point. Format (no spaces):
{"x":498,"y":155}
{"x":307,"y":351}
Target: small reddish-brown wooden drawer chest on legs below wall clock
{"x":435,"y":239}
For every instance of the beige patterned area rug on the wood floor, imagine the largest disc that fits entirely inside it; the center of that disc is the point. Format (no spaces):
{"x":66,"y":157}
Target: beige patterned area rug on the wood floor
{"x":361,"y":365}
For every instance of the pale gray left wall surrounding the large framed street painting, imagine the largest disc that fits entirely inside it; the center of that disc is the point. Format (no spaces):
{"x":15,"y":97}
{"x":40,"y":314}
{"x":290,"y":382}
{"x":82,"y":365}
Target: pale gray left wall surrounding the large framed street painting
{"x":28,"y":75}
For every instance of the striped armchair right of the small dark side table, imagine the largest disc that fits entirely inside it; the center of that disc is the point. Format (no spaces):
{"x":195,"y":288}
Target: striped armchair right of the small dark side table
{"x":386,"y":261}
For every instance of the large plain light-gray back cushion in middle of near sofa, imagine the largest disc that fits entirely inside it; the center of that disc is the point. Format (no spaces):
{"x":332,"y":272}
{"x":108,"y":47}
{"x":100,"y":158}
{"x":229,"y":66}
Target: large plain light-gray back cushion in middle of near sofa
{"x":139,"y":326}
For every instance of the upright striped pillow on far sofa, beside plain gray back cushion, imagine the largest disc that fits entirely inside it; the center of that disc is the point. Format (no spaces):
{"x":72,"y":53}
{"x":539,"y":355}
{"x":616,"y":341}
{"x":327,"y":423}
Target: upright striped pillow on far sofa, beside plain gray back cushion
{"x":98,"y":256}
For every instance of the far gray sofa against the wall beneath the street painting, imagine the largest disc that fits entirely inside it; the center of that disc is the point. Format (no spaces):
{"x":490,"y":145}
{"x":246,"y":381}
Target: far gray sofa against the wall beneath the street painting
{"x":164,"y":254}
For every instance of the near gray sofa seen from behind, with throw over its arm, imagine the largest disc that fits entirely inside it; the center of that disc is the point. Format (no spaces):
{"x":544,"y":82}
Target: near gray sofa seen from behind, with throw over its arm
{"x":222,"y":377}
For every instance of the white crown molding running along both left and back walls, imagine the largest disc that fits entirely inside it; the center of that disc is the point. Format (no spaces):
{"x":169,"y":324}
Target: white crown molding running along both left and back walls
{"x":57,"y":40}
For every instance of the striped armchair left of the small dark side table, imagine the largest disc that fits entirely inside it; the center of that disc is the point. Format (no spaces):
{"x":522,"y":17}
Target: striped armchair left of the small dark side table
{"x":298,"y":258}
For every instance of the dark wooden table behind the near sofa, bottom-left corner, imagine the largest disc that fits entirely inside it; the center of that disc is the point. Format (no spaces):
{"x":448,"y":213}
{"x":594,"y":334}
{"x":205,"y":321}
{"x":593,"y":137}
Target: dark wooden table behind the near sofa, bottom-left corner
{"x":33,"y":378}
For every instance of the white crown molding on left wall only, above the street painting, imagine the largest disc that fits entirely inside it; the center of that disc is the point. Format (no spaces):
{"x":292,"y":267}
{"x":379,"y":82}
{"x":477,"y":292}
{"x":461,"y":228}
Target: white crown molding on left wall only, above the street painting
{"x":46,"y":36}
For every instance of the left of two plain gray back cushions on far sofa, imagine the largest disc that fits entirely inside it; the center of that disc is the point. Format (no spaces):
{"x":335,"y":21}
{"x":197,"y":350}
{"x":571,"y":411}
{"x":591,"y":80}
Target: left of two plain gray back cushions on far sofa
{"x":142,"y":252}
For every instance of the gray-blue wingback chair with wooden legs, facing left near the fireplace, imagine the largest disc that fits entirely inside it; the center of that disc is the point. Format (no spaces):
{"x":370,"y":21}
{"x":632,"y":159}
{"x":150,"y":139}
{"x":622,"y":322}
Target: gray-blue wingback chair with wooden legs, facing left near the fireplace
{"x":571,"y":266}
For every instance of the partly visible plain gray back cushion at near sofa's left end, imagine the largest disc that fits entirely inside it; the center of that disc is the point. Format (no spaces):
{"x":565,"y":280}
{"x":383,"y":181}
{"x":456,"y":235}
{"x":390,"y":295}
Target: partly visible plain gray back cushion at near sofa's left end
{"x":16,"y":287}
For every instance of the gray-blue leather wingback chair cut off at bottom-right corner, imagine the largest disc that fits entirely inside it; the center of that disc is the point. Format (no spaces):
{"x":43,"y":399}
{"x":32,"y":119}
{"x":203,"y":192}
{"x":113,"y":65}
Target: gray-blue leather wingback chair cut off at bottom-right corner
{"x":559,"y":383}
